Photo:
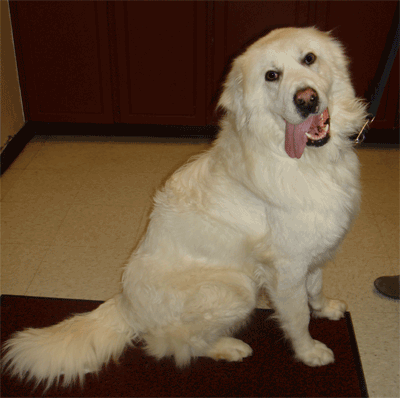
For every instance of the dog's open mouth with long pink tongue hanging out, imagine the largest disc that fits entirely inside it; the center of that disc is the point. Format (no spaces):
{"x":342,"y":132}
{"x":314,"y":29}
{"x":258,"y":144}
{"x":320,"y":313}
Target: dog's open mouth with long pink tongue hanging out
{"x":314,"y":131}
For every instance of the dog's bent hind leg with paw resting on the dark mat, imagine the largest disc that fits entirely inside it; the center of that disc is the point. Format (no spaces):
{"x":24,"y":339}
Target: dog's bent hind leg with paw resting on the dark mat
{"x":213,"y":311}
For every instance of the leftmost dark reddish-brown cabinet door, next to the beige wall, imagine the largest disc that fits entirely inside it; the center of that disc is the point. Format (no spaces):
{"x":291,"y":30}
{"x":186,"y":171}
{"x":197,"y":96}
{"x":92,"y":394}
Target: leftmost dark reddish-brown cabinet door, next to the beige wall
{"x":64,"y":60}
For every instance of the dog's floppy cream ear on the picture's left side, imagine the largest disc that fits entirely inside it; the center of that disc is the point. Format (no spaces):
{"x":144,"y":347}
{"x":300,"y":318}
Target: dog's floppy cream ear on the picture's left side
{"x":232,"y":95}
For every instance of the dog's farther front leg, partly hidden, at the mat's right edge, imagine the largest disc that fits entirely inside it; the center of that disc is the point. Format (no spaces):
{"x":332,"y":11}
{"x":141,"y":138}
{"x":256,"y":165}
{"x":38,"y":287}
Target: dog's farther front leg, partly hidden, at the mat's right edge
{"x":322,"y":306}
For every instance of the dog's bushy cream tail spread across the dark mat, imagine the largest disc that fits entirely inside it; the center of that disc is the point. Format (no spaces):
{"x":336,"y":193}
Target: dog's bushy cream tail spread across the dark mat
{"x":78,"y":345}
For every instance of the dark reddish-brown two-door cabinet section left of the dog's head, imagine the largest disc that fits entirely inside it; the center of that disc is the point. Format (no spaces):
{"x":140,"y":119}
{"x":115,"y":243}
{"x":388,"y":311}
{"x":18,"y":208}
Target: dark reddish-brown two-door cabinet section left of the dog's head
{"x":105,"y":62}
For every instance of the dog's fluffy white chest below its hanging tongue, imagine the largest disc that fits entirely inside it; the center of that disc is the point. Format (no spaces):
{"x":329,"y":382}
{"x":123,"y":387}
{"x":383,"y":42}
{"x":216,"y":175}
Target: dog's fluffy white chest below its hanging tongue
{"x":315,"y":209}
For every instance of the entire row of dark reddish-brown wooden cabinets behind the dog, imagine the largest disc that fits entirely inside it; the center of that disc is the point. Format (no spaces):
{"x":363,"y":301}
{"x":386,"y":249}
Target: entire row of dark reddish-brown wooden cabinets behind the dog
{"x":164,"y":62}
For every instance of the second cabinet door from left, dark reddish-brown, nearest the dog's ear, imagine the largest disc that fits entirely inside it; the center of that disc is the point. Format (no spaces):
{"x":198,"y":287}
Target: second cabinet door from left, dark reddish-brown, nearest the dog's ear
{"x":161,"y":62}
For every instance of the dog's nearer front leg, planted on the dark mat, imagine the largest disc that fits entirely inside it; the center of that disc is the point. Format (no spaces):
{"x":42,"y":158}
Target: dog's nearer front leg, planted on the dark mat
{"x":290,"y":298}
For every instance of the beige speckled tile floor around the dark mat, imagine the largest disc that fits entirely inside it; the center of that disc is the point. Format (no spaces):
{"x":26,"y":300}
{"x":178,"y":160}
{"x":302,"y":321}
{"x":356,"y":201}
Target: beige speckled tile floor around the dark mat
{"x":73,"y":208}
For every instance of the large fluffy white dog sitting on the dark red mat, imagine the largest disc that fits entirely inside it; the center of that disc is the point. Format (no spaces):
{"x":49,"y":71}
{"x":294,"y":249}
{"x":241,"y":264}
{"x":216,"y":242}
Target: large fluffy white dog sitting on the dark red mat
{"x":265,"y":207}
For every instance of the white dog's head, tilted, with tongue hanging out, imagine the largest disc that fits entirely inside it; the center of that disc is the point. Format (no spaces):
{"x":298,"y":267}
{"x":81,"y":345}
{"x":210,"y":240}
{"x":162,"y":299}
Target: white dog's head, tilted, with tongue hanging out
{"x":297,"y":80}
